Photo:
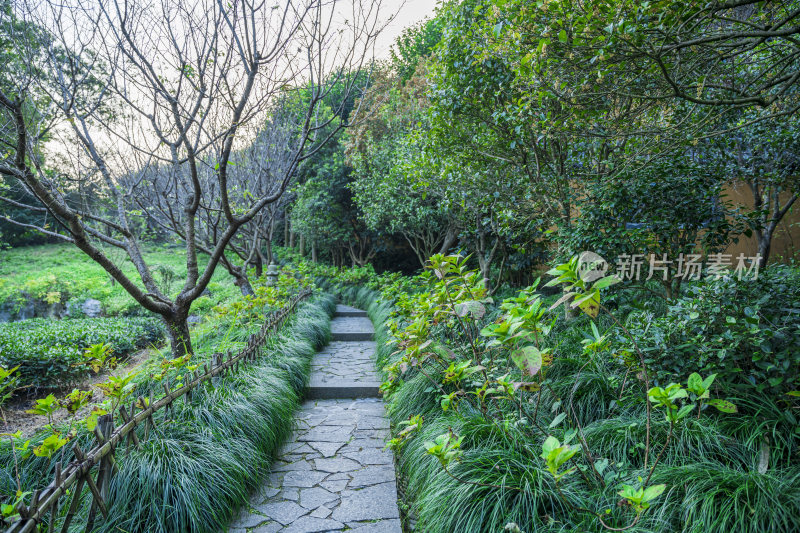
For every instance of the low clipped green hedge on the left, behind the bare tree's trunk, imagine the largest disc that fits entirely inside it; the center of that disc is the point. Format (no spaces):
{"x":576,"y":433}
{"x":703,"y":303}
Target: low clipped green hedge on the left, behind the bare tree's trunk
{"x":47,"y":350}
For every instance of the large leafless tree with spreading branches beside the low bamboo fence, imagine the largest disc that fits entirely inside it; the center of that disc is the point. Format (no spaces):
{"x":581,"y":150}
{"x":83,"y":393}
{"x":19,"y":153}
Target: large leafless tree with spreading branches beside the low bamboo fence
{"x":182,"y":81}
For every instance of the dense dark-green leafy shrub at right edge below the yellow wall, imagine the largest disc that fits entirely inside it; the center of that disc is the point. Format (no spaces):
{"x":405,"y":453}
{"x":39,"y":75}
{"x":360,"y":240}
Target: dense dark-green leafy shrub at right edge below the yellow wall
{"x":747,"y":332}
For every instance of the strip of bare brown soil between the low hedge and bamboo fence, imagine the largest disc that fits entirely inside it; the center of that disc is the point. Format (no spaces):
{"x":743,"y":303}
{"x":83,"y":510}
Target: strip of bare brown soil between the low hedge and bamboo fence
{"x":16,"y":419}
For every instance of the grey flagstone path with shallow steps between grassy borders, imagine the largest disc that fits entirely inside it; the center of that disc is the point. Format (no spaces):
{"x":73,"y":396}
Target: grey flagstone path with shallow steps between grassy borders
{"x":334,"y":474}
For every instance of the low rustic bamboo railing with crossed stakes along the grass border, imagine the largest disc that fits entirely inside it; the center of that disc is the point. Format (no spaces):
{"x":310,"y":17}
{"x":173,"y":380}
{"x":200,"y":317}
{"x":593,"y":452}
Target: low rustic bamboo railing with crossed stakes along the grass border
{"x":79,"y":472}
